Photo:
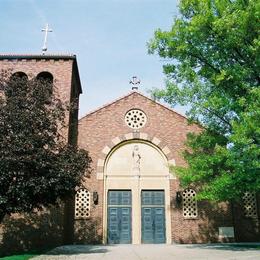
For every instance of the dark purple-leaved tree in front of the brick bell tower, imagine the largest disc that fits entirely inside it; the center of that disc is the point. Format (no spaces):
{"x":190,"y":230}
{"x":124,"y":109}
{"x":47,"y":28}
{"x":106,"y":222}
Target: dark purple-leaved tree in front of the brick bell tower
{"x":37,"y":166}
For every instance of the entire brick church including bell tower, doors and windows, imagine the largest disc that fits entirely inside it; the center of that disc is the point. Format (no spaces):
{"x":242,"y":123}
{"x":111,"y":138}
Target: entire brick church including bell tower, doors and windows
{"x":132,"y":195}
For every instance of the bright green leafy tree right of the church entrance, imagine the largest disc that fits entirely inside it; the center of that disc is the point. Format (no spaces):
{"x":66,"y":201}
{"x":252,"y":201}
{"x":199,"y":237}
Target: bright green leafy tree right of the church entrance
{"x":213,"y":48}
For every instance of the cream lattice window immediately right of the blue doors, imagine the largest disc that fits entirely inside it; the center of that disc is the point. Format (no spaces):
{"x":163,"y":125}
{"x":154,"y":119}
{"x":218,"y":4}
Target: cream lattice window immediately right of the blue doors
{"x":189,"y":204}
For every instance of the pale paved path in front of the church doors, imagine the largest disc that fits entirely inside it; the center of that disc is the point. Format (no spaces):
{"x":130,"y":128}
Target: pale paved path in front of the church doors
{"x":154,"y":252}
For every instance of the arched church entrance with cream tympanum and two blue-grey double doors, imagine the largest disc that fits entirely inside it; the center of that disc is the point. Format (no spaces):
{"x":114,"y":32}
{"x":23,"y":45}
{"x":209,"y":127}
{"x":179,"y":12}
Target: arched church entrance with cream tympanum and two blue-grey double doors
{"x":136,"y":194}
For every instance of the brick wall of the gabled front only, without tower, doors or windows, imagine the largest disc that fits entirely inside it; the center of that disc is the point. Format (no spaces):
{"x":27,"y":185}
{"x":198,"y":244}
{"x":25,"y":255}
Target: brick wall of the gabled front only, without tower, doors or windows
{"x":102,"y":129}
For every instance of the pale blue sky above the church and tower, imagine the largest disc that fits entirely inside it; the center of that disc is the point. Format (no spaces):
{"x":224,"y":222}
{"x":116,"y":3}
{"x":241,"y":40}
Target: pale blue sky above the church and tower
{"x":109,"y":38}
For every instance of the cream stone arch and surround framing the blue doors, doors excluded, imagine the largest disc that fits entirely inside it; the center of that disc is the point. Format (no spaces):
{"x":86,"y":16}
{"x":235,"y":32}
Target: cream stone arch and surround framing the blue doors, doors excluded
{"x":117,"y":169}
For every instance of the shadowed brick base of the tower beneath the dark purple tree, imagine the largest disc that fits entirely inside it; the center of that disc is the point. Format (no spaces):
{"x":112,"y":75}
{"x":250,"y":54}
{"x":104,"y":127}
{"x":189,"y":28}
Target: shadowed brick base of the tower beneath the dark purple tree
{"x":32,"y":232}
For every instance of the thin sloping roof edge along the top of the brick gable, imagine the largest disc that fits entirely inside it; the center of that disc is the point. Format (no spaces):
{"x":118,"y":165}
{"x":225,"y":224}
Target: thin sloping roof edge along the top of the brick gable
{"x":127,"y":95}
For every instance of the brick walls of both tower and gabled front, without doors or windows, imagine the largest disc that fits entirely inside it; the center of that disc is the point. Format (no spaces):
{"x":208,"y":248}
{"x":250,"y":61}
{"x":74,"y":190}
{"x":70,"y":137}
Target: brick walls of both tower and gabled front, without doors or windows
{"x":99,"y":132}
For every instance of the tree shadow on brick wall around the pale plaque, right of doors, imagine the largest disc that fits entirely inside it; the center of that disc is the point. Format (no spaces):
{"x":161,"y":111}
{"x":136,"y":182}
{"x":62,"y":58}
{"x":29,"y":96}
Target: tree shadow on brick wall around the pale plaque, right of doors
{"x":205,"y":229}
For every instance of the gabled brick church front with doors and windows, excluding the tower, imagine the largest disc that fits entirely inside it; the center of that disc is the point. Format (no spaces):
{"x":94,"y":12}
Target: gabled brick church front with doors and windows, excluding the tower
{"x":135,"y":195}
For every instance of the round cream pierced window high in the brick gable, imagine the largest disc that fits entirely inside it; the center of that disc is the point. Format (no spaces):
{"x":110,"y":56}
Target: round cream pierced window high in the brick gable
{"x":135,"y":118}
